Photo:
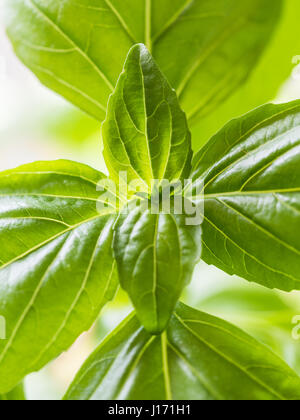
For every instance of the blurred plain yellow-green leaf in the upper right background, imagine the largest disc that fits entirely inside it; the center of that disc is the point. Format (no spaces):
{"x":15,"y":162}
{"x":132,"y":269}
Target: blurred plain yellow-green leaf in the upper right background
{"x":273,"y":69}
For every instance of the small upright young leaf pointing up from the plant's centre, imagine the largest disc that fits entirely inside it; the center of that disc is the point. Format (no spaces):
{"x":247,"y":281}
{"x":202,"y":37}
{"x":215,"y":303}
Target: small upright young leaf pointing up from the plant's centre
{"x":145,"y":133}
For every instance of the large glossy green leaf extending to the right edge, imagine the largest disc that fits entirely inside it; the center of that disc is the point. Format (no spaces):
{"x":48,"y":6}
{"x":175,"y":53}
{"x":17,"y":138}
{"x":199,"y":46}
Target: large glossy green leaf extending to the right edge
{"x":251,"y":172}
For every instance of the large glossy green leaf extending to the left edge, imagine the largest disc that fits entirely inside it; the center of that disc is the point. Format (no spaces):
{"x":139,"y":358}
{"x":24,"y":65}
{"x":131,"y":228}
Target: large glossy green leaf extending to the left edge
{"x":57,"y":269}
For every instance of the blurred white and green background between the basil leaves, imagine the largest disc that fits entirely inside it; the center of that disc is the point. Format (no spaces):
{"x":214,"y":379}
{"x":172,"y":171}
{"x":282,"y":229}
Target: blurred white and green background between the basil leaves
{"x":36,"y":124}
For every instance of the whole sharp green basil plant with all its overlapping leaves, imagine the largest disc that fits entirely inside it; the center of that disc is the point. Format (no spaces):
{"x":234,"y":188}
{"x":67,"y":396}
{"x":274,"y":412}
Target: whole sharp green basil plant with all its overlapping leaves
{"x":71,"y":235}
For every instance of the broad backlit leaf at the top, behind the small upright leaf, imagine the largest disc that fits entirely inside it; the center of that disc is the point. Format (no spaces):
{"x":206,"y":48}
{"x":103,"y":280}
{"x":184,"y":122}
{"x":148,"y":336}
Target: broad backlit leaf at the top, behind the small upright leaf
{"x":206,"y":49}
